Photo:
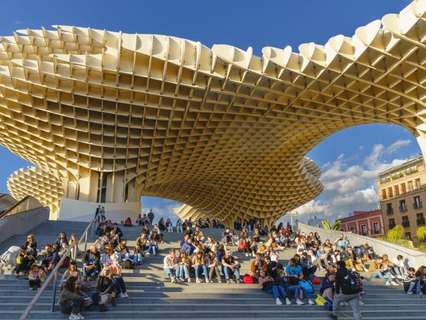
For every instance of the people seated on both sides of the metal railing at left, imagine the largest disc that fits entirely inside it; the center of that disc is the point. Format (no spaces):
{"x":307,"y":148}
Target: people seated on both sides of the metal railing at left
{"x":99,"y":281}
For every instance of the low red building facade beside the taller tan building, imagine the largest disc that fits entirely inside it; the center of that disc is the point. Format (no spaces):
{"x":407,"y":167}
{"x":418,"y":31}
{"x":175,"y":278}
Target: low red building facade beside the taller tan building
{"x":366,"y":223}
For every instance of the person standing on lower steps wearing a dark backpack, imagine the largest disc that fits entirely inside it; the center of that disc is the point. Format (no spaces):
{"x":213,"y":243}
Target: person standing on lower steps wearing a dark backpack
{"x":348,"y":288}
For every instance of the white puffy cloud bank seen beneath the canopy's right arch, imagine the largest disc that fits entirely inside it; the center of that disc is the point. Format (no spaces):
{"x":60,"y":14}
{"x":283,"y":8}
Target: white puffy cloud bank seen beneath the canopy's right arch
{"x":349,"y":187}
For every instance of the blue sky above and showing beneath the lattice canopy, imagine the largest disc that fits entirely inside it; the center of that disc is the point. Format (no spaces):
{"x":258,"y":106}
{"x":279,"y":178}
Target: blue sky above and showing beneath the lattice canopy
{"x":242,"y":24}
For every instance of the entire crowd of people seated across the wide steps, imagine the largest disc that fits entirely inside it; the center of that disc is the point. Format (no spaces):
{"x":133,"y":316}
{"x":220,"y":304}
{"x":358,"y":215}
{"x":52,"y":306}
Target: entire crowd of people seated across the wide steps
{"x":205,"y":259}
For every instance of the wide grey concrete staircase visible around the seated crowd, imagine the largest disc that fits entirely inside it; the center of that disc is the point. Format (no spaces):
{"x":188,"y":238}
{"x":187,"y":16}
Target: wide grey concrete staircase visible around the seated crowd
{"x":150,"y":297}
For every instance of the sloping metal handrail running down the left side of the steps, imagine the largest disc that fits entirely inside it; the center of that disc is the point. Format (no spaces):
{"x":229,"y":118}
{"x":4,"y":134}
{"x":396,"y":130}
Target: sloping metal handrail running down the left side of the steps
{"x":53,"y":276}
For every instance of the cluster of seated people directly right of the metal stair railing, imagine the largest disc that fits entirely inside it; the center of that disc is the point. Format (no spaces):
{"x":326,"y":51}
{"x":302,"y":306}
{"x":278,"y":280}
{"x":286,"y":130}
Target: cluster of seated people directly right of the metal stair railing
{"x":101,"y":281}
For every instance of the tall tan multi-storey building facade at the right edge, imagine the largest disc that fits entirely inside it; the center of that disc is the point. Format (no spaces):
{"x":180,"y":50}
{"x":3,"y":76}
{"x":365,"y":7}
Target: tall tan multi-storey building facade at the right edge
{"x":402,"y":192}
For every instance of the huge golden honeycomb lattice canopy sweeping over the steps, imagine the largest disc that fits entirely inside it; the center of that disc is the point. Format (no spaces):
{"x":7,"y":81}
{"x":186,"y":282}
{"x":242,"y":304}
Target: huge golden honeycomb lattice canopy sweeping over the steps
{"x":219,"y":129}
